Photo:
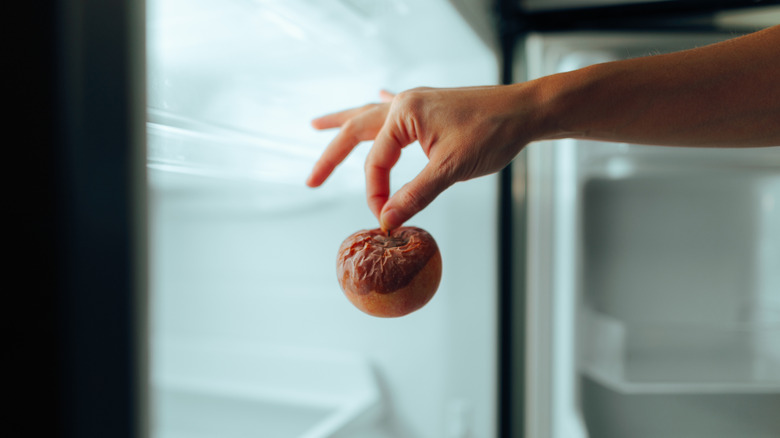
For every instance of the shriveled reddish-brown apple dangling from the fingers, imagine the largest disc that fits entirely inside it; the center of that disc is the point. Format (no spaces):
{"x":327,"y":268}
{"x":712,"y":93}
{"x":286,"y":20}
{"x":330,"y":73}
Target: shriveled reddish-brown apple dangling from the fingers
{"x":389,"y":273}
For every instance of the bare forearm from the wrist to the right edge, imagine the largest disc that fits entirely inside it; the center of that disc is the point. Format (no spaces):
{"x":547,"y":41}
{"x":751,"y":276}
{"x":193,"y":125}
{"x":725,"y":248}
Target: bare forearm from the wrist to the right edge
{"x":726,"y":94}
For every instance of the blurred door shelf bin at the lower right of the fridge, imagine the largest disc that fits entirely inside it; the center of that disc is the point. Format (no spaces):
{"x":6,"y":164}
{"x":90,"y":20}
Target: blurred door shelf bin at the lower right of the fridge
{"x":681,"y":358}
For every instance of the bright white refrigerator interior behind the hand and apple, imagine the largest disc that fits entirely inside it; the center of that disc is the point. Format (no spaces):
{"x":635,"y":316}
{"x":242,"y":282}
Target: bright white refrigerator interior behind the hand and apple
{"x":250,"y":332}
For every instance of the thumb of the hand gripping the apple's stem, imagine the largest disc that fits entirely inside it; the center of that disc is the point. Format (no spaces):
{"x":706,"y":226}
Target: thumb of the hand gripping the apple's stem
{"x":413,"y":197}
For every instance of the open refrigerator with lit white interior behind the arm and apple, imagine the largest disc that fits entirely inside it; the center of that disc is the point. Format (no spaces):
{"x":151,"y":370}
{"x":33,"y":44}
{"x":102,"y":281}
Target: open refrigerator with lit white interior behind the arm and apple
{"x":588,"y":290}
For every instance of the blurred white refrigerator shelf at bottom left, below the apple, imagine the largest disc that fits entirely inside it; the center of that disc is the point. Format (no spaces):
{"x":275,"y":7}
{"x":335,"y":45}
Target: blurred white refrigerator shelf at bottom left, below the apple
{"x":229,"y":389}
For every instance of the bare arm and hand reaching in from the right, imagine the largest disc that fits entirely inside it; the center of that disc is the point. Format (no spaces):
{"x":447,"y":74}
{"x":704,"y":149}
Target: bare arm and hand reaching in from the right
{"x":722,"y":95}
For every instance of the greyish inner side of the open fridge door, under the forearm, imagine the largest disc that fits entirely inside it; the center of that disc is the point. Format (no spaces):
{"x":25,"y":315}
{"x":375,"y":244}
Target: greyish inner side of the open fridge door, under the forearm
{"x":658,"y":269}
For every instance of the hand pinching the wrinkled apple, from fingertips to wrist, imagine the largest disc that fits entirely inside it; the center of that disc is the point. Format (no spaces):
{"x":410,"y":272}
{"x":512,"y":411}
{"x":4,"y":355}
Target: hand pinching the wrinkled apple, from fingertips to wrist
{"x":464,"y":132}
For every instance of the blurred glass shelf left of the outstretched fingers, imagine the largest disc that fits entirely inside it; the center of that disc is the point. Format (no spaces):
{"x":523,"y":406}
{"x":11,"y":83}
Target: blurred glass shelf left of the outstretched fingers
{"x":224,"y":169}
